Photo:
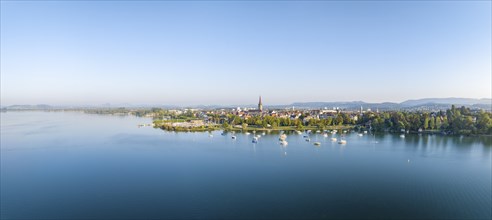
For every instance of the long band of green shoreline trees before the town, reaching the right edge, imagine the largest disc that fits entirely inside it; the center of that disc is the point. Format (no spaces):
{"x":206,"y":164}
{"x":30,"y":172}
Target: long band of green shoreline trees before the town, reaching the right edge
{"x":452,"y":121}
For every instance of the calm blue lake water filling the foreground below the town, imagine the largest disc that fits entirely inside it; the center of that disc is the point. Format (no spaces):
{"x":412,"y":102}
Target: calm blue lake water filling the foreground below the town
{"x":66,"y":165}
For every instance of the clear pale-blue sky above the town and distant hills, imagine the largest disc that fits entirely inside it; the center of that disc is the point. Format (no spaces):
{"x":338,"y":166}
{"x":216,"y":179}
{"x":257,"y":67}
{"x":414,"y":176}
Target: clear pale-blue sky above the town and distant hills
{"x":218,"y":52}
